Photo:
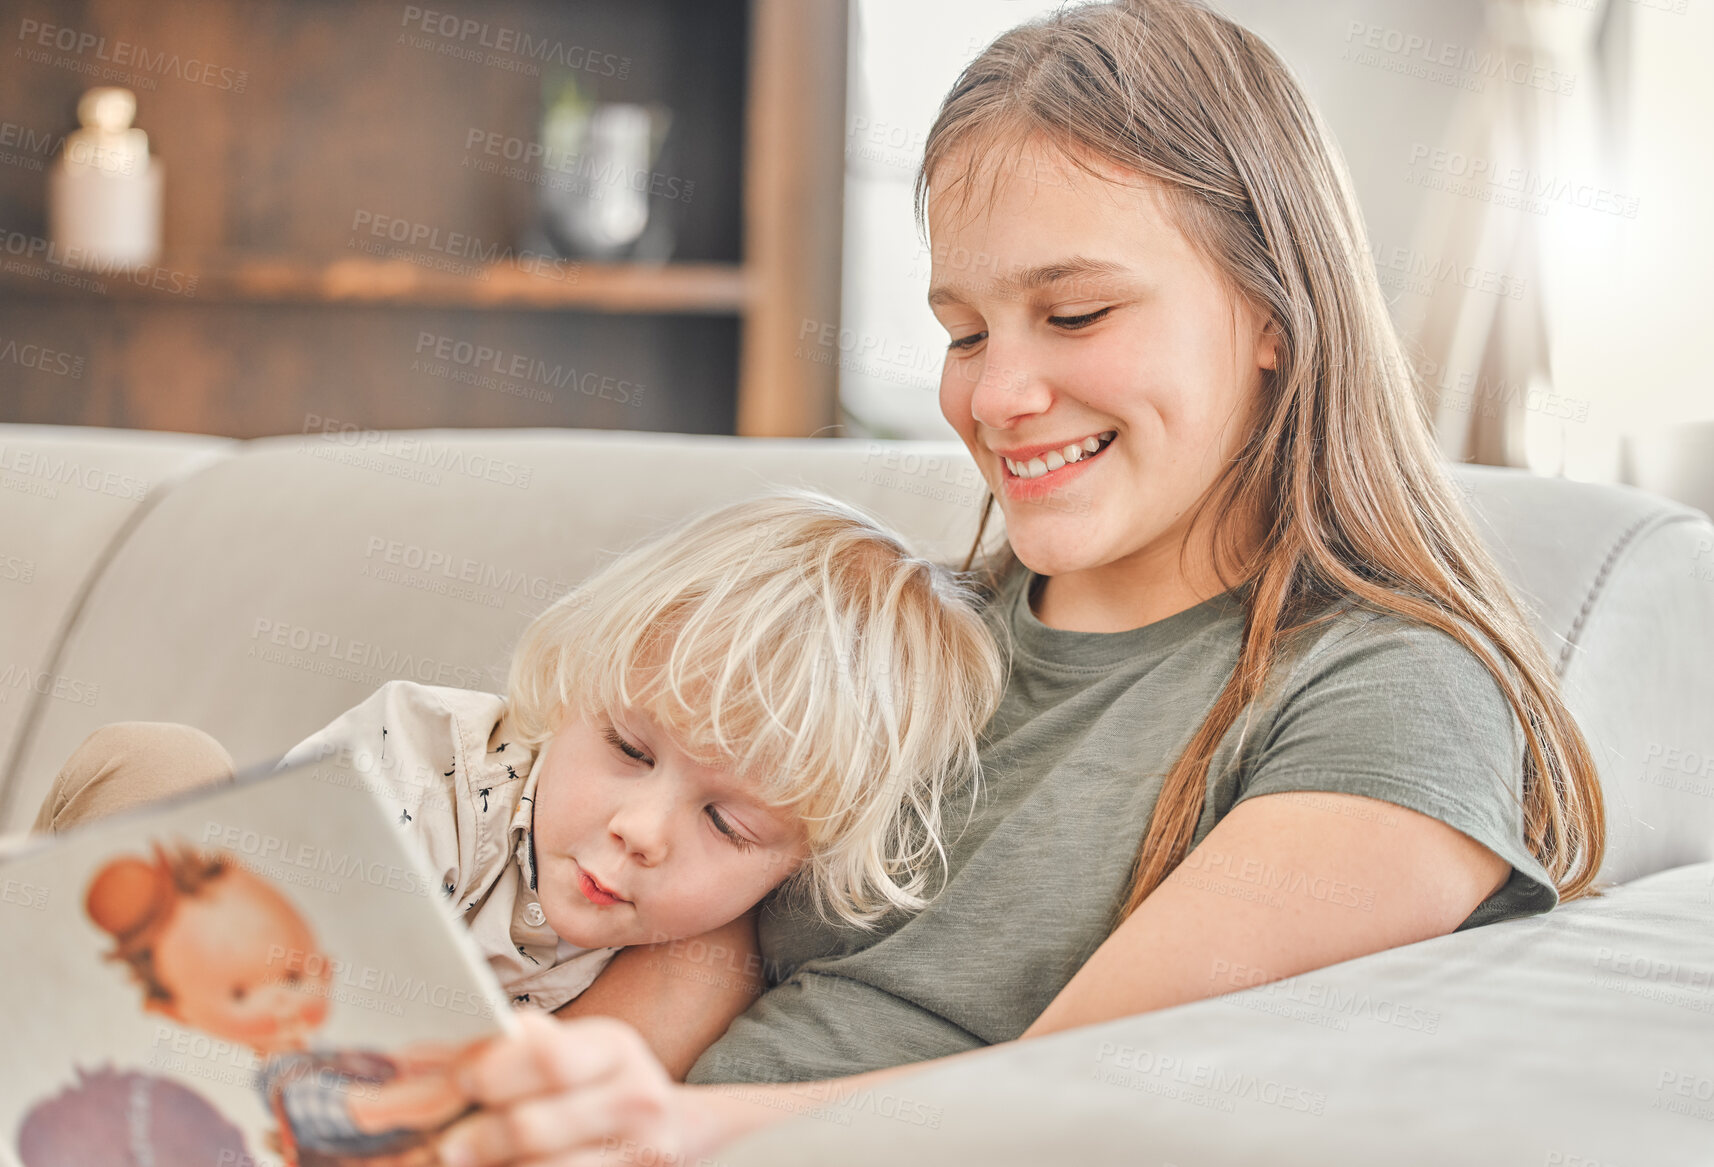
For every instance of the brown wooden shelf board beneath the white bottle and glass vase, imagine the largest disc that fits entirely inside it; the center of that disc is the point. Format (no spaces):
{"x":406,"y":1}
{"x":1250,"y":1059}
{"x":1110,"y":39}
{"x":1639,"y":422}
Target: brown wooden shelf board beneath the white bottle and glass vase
{"x":419,"y":282}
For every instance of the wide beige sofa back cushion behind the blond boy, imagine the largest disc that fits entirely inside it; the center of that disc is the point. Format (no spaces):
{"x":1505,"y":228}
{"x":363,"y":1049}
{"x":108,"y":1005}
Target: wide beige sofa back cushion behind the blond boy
{"x":275,"y":590}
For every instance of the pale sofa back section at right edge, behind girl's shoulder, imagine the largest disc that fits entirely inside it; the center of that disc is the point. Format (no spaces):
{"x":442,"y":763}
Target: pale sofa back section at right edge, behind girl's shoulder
{"x":1622,"y":589}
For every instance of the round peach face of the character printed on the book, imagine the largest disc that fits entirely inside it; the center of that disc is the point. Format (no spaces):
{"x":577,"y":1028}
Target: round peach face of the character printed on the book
{"x":243,"y":964}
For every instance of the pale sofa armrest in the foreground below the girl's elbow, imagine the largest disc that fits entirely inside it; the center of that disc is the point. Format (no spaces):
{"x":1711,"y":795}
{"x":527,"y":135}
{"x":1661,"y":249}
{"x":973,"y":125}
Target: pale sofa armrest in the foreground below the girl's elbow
{"x":1579,"y":1038}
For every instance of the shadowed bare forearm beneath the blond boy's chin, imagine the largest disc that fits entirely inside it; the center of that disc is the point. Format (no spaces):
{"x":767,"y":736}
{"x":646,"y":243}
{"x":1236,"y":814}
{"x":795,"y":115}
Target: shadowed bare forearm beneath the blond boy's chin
{"x":681,"y":995}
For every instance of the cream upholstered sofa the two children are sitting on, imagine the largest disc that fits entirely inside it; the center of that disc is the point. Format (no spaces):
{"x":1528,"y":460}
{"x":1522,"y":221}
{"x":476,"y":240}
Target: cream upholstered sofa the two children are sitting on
{"x":260,"y":589}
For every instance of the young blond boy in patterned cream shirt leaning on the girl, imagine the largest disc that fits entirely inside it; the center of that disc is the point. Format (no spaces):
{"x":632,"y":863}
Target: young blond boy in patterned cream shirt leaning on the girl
{"x":776,"y":693}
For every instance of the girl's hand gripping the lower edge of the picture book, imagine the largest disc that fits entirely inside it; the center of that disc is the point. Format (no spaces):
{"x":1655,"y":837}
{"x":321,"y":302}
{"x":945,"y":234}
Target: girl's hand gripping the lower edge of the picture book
{"x":566,"y":1091}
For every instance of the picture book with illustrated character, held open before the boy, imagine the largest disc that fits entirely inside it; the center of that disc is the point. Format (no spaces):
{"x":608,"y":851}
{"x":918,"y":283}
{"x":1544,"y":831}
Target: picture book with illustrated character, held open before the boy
{"x":258,"y":974}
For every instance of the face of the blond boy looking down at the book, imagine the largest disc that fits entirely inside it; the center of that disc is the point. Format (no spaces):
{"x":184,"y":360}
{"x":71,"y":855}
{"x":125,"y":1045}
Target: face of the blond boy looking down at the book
{"x":618,"y":803}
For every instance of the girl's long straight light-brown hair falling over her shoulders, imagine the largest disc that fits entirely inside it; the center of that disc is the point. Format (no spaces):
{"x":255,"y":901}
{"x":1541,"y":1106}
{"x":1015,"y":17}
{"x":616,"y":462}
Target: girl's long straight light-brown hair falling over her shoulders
{"x":1339,"y":464}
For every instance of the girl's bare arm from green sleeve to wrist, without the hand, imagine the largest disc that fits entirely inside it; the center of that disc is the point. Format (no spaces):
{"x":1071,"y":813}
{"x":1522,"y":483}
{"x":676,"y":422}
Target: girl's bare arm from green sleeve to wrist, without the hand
{"x":1363,"y":883}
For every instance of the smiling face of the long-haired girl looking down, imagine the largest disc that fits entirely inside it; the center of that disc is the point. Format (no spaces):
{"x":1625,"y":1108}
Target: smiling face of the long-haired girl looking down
{"x":1079,"y":311}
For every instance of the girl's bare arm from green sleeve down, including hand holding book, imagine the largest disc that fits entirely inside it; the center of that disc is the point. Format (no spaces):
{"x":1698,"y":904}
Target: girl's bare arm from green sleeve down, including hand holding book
{"x":1283,"y":885}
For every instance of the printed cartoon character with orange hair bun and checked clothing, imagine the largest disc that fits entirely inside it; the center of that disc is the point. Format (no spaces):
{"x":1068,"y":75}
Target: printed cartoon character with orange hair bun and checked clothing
{"x":219,"y":949}
